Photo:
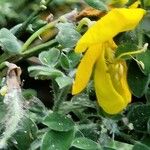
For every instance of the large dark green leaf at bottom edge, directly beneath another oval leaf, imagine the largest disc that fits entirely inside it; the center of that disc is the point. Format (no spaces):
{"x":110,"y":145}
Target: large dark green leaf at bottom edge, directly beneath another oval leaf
{"x":53,"y":140}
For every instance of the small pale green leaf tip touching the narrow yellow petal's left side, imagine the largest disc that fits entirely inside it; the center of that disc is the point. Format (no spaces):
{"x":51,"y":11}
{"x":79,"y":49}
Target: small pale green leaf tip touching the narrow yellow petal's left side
{"x":64,"y":81}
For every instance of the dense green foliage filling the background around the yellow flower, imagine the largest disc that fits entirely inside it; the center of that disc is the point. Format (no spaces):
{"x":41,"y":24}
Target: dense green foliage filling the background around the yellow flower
{"x":43,"y":44}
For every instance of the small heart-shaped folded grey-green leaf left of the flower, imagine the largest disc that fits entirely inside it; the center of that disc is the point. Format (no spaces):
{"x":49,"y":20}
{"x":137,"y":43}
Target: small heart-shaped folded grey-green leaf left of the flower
{"x":49,"y":58}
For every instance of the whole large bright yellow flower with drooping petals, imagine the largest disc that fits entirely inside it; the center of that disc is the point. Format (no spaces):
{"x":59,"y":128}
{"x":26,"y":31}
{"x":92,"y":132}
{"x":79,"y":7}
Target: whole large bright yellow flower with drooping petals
{"x":109,"y":73}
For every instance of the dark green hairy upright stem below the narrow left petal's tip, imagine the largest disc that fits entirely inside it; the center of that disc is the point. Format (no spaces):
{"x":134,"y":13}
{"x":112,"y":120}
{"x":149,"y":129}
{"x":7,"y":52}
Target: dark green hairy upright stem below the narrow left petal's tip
{"x":60,"y":98}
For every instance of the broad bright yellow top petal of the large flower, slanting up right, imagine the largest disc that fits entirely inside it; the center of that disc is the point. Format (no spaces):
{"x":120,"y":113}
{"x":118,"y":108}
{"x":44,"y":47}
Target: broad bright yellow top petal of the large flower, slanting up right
{"x":116,"y":21}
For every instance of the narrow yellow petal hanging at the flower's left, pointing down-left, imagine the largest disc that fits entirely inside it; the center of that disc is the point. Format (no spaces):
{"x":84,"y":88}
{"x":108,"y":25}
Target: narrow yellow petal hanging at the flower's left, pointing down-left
{"x":85,"y":68}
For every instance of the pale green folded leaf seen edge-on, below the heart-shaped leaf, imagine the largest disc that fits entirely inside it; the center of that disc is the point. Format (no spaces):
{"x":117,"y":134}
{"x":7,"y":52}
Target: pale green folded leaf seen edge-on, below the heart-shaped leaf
{"x":44,"y":72}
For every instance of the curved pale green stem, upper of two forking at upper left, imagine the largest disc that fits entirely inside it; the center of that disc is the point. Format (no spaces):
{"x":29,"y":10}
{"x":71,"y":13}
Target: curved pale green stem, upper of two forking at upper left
{"x":36,"y":34}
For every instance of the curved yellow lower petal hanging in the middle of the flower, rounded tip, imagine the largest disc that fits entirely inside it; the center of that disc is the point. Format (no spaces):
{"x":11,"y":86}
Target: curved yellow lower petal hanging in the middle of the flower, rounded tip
{"x":108,"y":98}
